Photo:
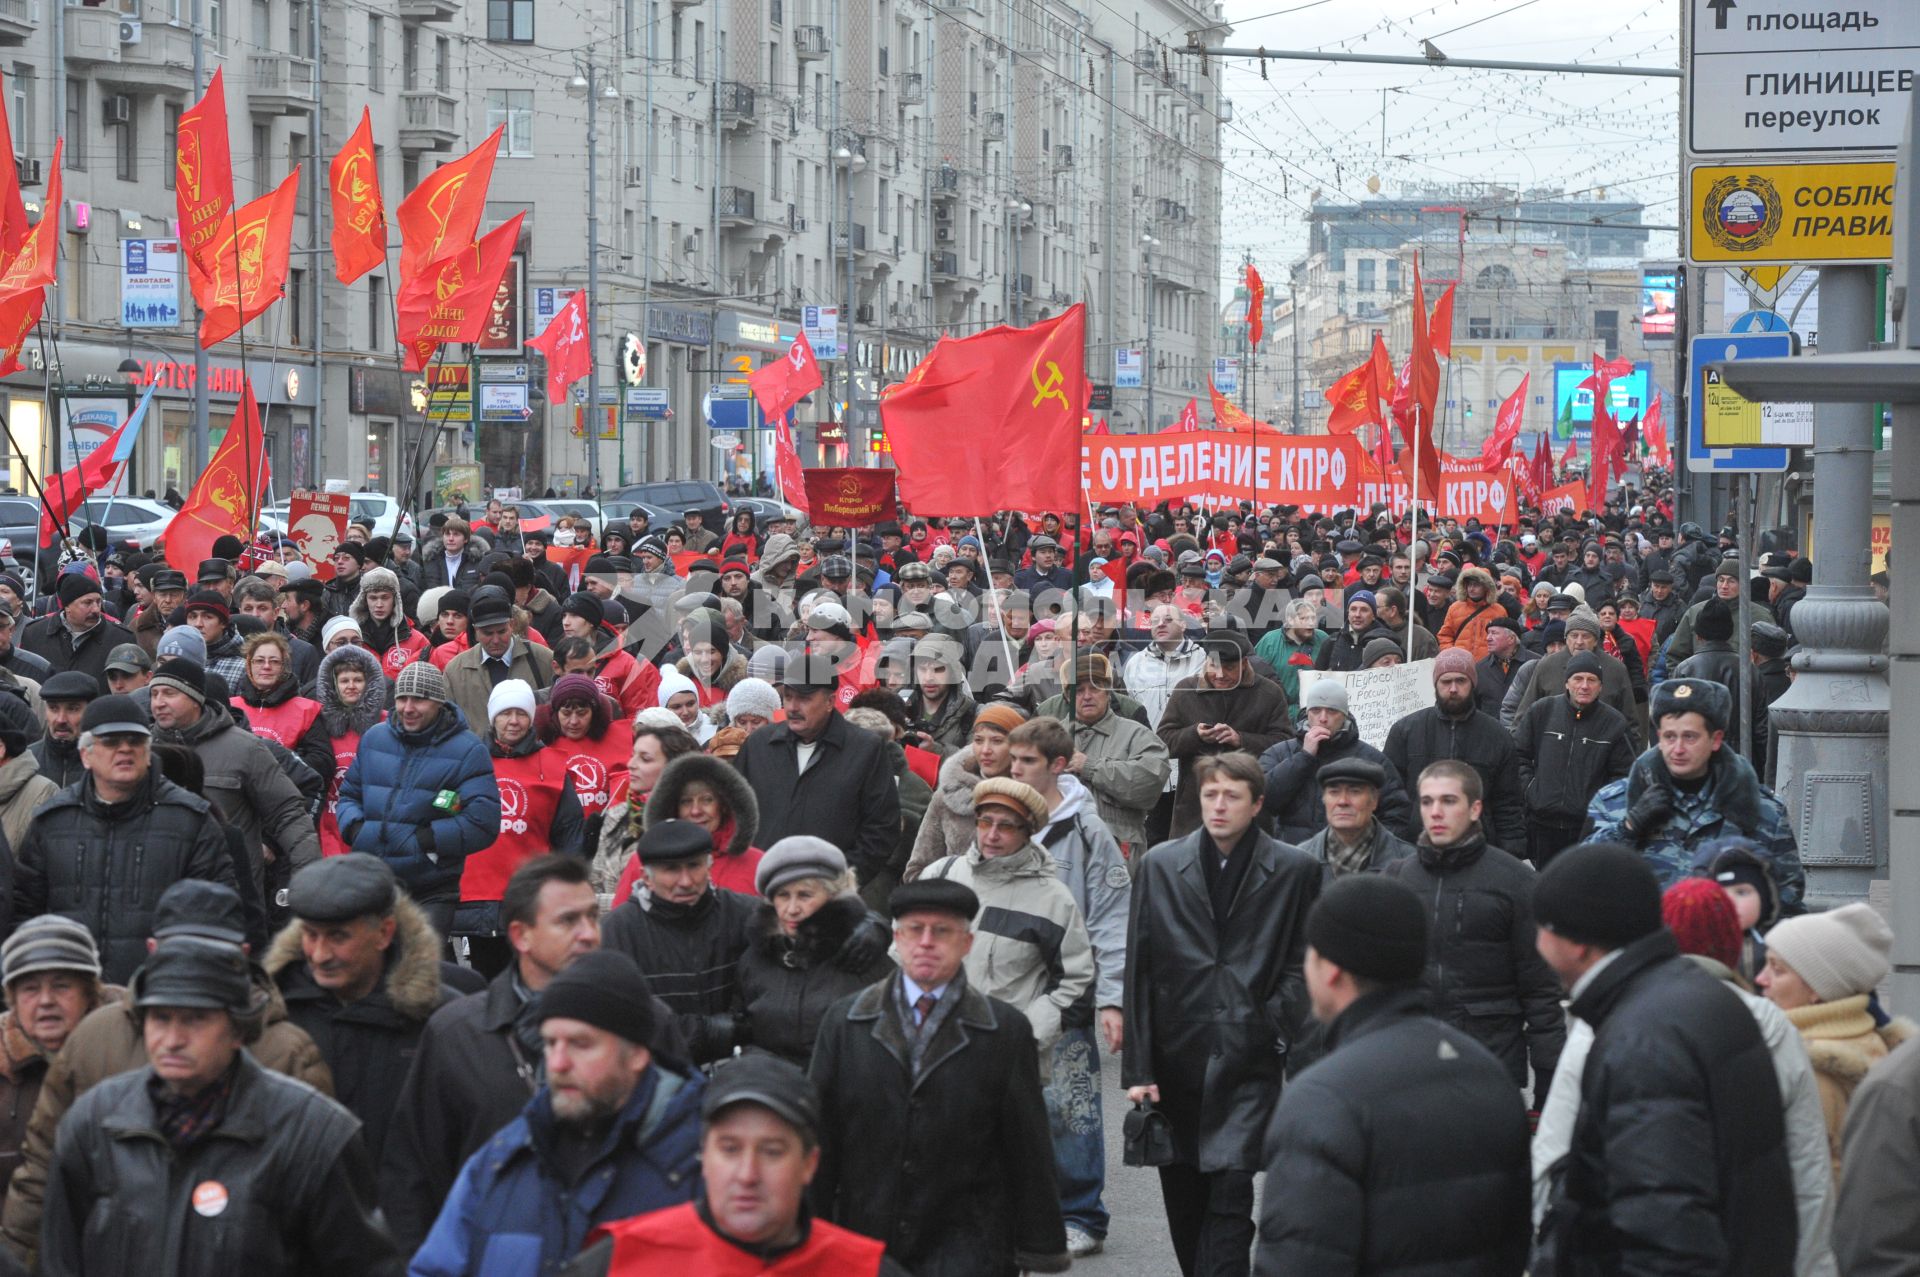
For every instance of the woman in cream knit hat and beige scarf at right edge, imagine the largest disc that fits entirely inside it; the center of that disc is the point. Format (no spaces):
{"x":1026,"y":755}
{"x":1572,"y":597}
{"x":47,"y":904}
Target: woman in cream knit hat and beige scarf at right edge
{"x":1821,"y":971}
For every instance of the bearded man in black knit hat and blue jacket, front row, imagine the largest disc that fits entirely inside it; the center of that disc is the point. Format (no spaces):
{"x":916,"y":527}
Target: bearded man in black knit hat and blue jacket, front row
{"x":613,"y":1134}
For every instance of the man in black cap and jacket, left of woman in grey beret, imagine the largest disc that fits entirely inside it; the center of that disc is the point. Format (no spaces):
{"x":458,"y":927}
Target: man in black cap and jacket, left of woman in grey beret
{"x":686,"y":934}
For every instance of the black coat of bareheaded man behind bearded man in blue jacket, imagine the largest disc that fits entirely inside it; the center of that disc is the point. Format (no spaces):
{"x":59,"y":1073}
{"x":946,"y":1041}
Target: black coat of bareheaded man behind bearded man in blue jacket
{"x":469,"y":1080}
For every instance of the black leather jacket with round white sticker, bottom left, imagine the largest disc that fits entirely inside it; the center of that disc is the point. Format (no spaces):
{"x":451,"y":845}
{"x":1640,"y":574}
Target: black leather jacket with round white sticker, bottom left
{"x":299,"y":1188}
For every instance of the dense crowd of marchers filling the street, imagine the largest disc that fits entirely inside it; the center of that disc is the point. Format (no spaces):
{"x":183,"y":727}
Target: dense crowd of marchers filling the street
{"x":765,"y":898}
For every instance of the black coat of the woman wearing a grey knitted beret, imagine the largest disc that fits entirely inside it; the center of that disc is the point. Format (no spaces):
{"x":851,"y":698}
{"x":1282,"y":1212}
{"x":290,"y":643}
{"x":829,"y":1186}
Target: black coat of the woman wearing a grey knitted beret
{"x":788,"y":984}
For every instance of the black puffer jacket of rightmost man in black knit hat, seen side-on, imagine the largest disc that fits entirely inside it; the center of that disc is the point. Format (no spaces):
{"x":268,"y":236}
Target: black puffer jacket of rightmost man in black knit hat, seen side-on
{"x":1679,"y":1155}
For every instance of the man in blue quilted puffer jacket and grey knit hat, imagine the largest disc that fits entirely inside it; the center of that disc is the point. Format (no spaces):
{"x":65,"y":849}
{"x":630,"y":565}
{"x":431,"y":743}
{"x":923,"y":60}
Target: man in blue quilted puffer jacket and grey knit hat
{"x":421,"y":794}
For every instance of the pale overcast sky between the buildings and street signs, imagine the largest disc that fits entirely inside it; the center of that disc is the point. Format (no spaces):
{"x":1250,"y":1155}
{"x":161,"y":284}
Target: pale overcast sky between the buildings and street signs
{"x":1320,"y":126}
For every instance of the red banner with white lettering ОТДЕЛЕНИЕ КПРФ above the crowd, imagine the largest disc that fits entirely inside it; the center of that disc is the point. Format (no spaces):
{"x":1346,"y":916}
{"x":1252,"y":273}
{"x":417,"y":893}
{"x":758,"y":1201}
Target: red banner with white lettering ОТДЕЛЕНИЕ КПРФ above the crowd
{"x":1272,"y":470}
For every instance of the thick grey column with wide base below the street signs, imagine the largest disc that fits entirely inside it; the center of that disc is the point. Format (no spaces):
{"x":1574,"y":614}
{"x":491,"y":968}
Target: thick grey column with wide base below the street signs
{"x":1835,"y":721}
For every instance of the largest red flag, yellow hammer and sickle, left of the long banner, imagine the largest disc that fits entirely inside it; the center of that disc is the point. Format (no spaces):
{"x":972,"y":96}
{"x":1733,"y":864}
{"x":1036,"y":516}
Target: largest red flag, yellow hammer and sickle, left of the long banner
{"x":1015,"y":395}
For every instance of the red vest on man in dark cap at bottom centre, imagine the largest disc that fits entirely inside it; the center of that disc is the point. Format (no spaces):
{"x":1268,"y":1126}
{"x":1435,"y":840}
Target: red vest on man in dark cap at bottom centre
{"x":679,"y":1241}
